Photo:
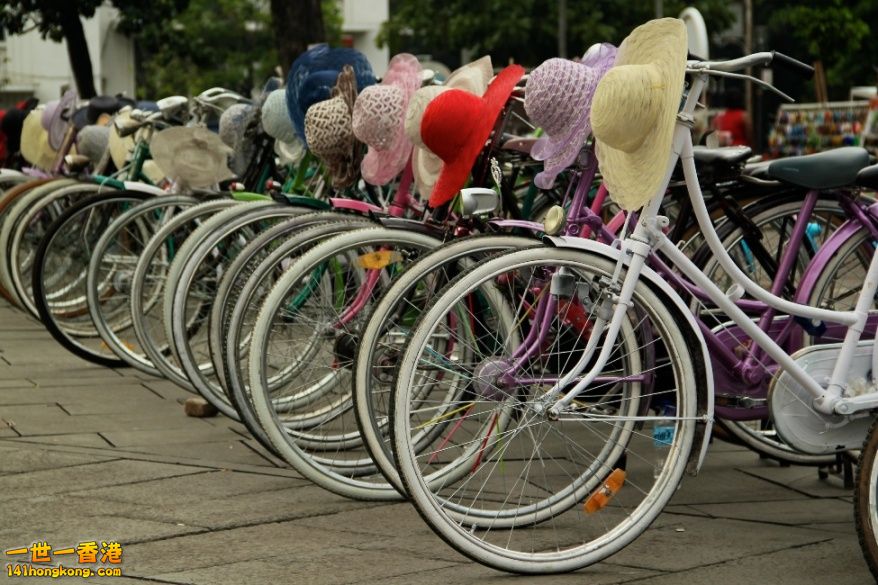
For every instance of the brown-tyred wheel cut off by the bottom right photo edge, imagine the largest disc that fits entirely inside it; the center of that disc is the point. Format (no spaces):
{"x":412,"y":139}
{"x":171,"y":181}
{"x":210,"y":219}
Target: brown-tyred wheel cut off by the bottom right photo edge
{"x":866,"y":500}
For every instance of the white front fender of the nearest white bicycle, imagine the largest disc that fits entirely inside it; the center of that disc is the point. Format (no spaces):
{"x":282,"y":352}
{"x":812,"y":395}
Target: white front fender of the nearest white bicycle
{"x":704,"y":379}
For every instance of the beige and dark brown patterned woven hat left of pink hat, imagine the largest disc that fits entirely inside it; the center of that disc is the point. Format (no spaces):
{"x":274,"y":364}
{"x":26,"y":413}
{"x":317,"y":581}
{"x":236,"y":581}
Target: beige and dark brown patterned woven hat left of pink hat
{"x":330,"y":133}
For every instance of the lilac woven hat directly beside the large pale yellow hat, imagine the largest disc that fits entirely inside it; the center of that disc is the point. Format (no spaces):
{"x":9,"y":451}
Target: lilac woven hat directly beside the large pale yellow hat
{"x":558,"y":99}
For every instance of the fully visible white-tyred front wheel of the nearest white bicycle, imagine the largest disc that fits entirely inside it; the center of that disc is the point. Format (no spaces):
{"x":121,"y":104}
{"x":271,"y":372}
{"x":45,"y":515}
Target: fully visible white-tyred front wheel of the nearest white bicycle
{"x":514,"y":506}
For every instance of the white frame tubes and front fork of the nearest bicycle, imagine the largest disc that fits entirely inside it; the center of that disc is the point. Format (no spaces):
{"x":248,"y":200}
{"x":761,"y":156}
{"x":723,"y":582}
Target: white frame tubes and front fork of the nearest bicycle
{"x":648,"y":233}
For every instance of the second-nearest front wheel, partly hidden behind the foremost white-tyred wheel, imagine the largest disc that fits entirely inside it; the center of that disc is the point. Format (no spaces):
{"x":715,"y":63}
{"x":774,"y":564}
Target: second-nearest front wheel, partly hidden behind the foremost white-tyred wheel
{"x":388,"y":328}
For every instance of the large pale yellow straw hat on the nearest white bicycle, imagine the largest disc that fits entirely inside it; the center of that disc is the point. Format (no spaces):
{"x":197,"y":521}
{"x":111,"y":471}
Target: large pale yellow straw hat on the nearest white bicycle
{"x":635,"y":108}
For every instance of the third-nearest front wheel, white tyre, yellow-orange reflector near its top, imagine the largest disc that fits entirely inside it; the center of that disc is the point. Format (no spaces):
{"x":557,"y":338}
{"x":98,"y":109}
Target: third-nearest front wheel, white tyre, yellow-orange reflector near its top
{"x":302,"y":351}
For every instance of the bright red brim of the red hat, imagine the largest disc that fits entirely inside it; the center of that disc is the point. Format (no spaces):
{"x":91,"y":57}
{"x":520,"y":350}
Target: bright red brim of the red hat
{"x":454,"y":173}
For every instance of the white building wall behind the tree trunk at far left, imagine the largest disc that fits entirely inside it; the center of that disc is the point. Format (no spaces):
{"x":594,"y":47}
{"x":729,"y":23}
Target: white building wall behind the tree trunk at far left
{"x":42,"y":68}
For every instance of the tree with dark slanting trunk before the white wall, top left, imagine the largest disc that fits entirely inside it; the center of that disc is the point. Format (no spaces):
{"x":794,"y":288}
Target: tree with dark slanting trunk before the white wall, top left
{"x":60,"y":20}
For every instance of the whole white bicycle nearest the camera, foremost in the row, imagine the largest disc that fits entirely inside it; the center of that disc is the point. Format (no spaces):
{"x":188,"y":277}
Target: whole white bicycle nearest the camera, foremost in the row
{"x":631,"y":370}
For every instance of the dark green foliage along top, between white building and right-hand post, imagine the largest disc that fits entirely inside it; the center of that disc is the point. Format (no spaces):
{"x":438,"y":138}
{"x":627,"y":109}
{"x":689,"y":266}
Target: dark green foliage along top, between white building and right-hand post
{"x":523,"y":30}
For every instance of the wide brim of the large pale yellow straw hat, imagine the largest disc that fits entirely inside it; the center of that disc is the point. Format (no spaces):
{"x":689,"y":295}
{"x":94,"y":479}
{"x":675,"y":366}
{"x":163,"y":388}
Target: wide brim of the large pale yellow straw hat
{"x":633,"y":178}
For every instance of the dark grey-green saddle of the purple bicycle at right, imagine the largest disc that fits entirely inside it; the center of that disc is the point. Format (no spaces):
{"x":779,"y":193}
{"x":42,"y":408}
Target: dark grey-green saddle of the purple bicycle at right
{"x":824,"y":170}
